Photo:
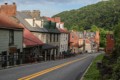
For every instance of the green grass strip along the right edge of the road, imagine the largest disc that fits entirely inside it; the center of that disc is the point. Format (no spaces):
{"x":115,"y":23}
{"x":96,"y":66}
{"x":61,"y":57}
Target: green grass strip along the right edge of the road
{"x":93,"y":72}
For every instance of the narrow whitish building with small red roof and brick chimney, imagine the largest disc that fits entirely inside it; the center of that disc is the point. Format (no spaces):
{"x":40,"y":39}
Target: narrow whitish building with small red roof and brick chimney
{"x":64,"y":37}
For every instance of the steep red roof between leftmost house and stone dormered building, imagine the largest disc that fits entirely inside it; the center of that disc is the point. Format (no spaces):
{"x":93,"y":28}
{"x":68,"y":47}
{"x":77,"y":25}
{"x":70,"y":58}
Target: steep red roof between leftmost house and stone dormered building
{"x":30,"y":39}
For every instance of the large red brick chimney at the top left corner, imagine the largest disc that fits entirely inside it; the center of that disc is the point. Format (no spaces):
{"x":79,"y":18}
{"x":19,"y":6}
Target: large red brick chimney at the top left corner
{"x":9,"y":10}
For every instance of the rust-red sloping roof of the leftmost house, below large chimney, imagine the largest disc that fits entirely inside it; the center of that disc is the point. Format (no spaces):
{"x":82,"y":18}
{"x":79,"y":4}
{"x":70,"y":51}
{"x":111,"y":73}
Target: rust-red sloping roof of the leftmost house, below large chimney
{"x":7,"y":23}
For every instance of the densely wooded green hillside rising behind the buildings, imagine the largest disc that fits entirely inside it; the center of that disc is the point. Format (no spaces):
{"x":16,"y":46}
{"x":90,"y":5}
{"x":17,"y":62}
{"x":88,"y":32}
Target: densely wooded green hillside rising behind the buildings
{"x":104,"y":14}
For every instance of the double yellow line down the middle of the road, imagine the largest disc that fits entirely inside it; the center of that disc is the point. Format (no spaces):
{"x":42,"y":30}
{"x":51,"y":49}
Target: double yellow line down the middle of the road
{"x":29,"y":77}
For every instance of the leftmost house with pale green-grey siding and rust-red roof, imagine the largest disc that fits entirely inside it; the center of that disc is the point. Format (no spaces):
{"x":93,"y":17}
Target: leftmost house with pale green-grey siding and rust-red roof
{"x":11,"y":41}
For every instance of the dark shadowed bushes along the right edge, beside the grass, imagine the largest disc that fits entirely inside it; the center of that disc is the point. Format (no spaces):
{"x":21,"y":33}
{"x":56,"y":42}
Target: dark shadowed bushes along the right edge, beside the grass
{"x":112,"y":62}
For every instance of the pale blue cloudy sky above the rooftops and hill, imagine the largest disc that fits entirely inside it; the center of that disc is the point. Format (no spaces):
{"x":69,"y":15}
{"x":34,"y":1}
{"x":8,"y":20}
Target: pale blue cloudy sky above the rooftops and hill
{"x":49,"y":7}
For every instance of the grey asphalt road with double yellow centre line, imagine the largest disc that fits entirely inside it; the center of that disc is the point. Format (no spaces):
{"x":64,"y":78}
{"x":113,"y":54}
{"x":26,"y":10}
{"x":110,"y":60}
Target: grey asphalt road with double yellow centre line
{"x":65,"y":69}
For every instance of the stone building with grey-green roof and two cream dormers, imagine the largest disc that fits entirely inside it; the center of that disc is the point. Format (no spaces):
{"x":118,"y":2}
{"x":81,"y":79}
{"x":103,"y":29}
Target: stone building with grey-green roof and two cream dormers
{"x":44,"y":30}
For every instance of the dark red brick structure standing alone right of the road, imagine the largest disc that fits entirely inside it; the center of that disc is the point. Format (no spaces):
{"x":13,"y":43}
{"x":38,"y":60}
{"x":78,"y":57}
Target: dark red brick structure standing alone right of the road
{"x":109,"y":43}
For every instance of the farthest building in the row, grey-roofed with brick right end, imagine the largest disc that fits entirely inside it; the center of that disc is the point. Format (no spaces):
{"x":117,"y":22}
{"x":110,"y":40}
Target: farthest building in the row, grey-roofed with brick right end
{"x":92,"y":41}
